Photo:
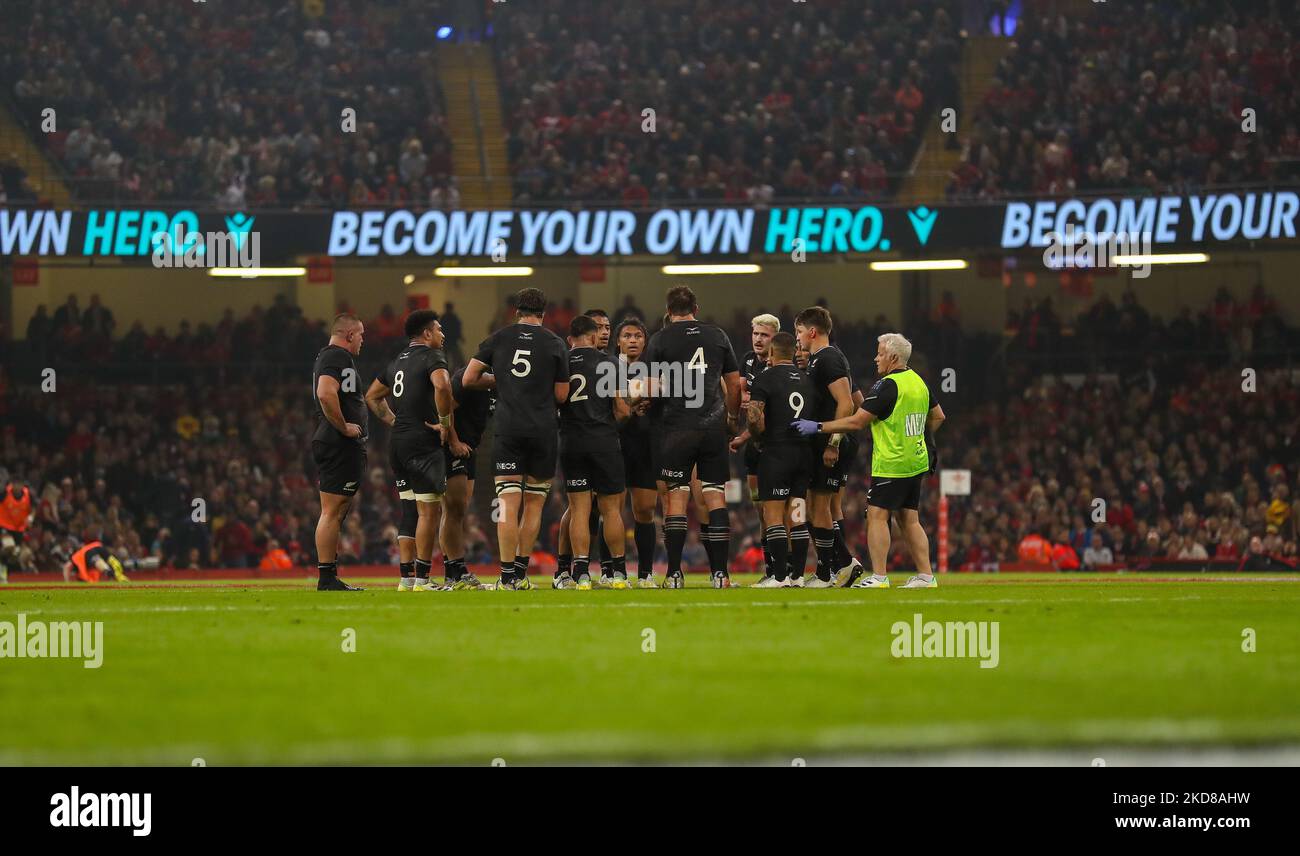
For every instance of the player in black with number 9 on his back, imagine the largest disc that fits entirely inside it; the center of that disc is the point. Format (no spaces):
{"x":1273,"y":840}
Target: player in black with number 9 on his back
{"x":778,"y":397}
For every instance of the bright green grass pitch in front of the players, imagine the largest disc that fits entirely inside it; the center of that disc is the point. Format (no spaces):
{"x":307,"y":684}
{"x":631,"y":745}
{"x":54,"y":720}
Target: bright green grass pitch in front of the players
{"x":258,"y":675}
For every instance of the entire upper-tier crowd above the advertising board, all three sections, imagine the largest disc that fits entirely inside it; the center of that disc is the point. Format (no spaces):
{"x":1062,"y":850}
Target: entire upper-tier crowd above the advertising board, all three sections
{"x":752,"y":103}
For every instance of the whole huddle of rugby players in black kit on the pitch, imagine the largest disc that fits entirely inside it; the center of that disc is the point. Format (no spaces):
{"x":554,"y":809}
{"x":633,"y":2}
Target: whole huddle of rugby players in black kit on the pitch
{"x":656,"y":442}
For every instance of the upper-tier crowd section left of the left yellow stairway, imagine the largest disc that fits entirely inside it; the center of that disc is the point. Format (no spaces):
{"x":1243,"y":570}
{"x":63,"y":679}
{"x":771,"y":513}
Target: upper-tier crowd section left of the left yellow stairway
{"x":150,"y":109}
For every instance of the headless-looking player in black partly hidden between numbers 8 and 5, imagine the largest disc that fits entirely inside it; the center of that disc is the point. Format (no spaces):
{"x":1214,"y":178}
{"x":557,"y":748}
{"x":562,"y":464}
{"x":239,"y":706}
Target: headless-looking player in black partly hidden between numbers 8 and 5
{"x":470,"y":413}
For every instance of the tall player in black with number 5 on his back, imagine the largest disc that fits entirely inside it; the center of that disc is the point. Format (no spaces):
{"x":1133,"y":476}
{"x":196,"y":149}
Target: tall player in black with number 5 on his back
{"x":531,"y":366}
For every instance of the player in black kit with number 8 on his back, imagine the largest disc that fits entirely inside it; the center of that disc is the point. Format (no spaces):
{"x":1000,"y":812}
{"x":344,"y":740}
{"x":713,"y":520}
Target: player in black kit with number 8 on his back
{"x":421,"y":387}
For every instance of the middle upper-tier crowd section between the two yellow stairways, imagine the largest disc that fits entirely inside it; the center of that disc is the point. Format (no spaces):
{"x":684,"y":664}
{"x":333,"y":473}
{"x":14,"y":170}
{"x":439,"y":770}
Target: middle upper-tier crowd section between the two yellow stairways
{"x":752,"y":102}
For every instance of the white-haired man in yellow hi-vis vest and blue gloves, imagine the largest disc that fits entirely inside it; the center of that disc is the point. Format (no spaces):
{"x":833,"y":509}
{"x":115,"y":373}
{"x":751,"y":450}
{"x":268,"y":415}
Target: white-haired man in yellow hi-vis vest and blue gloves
{"x":904,"y":416}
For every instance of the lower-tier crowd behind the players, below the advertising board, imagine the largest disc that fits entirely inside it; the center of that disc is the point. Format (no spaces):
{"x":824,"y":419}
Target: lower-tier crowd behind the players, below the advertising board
{"x":1188,"y":464}
